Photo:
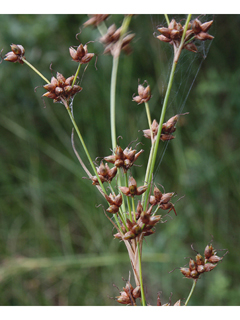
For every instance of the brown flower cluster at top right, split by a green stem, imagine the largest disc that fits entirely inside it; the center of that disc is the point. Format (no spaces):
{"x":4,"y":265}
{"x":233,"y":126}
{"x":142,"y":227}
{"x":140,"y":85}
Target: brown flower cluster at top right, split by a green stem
{"x":195,"y":30}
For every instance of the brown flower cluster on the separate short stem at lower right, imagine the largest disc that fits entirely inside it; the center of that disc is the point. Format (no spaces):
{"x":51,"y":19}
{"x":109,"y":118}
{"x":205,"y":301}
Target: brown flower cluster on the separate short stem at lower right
{"x":201,"y":265}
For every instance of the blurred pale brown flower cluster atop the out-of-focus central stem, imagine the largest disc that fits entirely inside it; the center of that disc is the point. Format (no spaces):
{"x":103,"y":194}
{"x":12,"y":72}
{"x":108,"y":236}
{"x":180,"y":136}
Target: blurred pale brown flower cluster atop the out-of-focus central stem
{"x":111,"y":38}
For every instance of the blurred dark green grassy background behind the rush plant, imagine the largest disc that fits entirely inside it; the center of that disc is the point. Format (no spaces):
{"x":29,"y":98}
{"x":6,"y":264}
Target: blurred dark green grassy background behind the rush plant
{"x":56,"y":247}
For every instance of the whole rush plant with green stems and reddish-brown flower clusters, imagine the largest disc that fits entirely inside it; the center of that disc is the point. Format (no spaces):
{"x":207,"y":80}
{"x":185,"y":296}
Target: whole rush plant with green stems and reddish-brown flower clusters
{"x":135,"y":210}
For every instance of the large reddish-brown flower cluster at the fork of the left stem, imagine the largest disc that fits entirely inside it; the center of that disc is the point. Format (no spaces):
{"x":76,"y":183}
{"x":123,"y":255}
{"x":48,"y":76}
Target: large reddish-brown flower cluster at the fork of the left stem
{"x":61,"y":88}
